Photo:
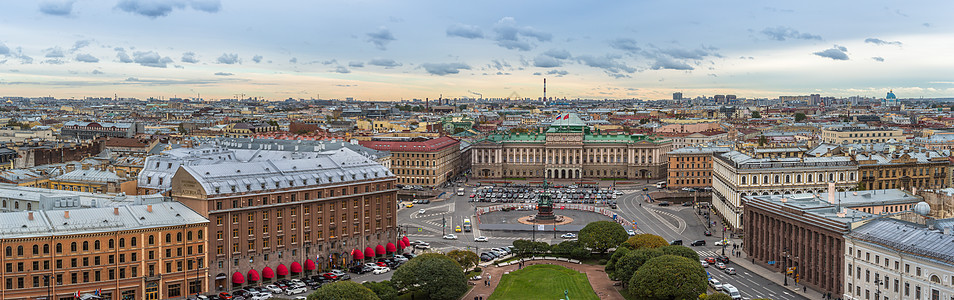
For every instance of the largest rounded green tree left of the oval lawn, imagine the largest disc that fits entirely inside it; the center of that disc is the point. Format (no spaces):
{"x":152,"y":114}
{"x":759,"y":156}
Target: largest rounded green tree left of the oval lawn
{"x":436,"y":275}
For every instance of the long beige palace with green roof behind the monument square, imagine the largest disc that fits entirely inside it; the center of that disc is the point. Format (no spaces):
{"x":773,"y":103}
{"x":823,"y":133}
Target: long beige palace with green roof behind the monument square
{"x":569,"y":149}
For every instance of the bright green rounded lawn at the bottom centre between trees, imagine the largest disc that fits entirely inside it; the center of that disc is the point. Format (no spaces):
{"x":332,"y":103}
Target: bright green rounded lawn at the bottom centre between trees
{"x":543,"y":282}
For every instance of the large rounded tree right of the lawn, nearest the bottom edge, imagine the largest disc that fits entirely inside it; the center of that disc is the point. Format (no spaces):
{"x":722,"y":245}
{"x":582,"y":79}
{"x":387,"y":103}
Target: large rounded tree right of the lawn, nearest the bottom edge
{"x":668,"y":277}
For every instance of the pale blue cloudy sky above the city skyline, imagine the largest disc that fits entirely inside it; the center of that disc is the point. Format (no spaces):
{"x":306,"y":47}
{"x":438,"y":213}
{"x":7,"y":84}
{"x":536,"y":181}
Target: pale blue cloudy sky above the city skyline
{"x":394,"y":50}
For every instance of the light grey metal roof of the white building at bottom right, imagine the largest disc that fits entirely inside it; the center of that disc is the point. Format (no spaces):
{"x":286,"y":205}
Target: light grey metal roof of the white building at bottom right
{"x":908,"y":237}
